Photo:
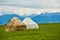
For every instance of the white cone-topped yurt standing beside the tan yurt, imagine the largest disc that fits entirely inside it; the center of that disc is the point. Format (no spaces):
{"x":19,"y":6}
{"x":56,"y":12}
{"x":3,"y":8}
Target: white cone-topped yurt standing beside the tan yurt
{"x":30,"y":24}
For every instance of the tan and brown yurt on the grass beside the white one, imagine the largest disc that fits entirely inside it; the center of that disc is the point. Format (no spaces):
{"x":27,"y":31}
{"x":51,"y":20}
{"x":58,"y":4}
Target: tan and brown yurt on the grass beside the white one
{"x":15,"y":24}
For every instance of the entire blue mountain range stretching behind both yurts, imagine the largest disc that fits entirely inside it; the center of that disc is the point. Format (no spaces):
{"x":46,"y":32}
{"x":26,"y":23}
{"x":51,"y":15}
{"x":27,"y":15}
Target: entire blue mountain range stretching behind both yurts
{"x":46,"y":17}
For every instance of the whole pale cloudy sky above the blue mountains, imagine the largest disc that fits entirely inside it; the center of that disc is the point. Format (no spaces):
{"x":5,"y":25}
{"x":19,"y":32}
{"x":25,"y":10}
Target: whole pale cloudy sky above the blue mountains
{"x":28,"y":7}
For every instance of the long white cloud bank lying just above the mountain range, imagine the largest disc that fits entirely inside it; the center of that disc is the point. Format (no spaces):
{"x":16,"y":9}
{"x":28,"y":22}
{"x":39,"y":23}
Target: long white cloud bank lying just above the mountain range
{"x":23,"y":11}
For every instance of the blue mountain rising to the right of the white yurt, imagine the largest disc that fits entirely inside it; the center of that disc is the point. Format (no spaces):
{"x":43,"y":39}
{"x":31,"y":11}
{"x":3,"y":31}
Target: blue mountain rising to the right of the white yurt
{"x":47,"y":17}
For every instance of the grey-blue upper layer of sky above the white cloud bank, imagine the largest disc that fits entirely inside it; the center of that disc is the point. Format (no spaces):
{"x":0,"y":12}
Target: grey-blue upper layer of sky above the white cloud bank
{"x":42,"y":4}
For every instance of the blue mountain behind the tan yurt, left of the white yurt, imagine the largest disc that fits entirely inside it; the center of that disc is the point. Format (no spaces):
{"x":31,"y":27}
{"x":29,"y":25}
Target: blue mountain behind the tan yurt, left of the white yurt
{"x":4,"y":19}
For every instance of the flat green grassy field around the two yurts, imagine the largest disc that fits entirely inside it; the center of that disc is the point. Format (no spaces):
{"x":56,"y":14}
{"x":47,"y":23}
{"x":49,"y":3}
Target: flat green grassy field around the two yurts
{"x":45,"y":32}
